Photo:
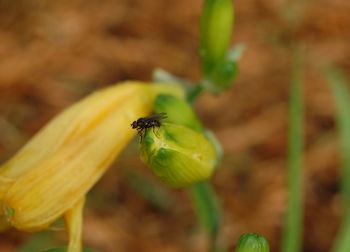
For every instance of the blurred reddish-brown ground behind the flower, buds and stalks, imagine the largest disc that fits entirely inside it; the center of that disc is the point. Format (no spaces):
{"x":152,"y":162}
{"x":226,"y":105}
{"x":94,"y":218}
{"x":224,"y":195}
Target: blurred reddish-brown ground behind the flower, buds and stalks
{"x":52,"y":53}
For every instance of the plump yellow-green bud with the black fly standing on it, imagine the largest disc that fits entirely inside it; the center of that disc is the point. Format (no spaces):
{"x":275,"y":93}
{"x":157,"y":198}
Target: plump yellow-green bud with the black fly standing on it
{"x":178,"y":155}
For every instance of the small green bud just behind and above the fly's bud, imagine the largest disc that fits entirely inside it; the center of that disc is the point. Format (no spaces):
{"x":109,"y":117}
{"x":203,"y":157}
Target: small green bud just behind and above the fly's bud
{"x":178,"y":111}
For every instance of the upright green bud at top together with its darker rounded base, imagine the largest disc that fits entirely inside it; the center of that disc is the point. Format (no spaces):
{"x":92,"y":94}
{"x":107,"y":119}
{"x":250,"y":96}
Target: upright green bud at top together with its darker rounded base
{"x":218,"y":66}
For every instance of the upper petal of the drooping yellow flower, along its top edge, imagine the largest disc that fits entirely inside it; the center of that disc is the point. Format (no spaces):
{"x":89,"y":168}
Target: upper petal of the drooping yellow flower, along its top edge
{"x":78,"y":120}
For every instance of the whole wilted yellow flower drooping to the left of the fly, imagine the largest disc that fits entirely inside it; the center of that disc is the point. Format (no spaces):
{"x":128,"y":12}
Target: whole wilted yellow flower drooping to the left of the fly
{"x":52,"y":173}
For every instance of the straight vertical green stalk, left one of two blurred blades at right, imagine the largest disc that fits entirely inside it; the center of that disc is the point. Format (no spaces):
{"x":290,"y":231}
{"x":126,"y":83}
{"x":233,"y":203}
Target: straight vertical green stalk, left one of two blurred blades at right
{"x":293,"y":227}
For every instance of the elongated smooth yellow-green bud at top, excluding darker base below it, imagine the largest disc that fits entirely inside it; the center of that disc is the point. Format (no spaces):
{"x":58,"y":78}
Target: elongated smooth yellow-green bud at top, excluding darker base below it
{"x":216,"y":29}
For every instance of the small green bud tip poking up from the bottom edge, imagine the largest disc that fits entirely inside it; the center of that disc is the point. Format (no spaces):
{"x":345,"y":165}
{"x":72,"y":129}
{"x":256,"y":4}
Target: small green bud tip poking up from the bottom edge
{"x":252,"y":243}
